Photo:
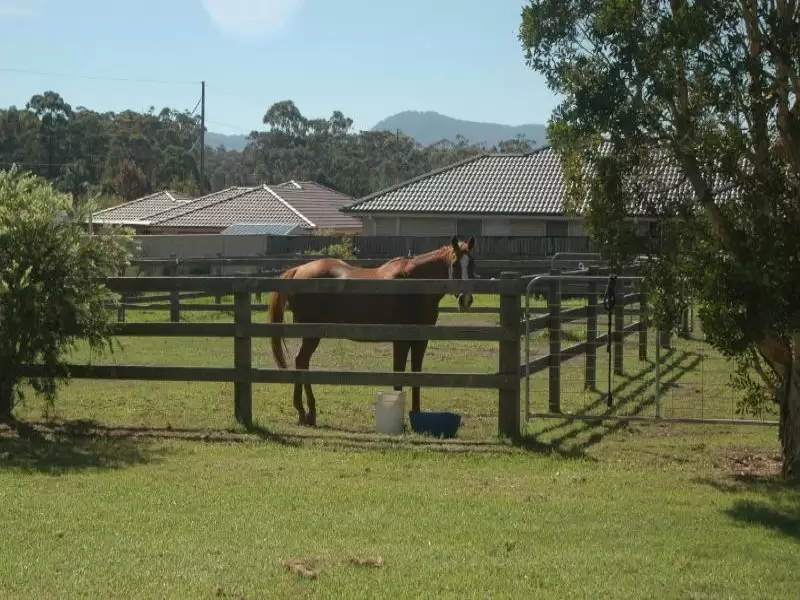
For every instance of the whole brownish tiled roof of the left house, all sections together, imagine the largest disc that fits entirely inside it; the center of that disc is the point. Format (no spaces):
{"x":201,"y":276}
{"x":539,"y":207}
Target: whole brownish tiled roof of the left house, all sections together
{"x":304,"y":205}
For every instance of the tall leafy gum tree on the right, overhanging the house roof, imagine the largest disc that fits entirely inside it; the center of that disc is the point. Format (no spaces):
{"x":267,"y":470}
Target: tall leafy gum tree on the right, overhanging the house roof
{"x":711,"y":90}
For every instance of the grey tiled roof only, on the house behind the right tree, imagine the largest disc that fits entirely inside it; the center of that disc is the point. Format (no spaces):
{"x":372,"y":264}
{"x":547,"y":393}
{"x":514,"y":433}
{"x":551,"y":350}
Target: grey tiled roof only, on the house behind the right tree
{"x":503,"y":184}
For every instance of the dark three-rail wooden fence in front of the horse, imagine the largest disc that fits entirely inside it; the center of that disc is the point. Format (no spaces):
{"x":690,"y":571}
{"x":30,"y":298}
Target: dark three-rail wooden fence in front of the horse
{"x":507,"y":333}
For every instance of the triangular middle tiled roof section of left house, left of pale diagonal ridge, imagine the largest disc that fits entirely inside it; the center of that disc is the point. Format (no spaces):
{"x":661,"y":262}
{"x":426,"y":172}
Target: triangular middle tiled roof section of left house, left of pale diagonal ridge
{"x":248,"y":205}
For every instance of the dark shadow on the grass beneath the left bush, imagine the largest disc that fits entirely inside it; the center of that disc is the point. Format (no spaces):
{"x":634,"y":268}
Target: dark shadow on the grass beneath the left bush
{"x":26,"y":448}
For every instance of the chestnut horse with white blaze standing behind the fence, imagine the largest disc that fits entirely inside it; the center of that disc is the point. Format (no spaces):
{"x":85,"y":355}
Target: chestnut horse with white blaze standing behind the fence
{"x":453,"y":261}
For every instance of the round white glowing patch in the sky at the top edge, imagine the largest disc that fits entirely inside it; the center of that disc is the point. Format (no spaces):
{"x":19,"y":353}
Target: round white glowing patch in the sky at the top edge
{"x":250,"y":17}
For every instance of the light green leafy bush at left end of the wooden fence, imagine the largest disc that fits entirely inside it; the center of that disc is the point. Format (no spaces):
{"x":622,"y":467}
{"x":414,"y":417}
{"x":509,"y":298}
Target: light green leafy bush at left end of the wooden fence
{"x":51,"y":293}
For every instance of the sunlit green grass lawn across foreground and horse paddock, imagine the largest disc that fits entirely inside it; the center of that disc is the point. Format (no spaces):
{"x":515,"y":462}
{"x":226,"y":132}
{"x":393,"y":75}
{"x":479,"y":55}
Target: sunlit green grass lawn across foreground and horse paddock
{"x":149,"y":490}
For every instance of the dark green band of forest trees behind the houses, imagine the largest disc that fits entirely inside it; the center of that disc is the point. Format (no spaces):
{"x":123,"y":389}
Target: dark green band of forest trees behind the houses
{"x":129,"y":154}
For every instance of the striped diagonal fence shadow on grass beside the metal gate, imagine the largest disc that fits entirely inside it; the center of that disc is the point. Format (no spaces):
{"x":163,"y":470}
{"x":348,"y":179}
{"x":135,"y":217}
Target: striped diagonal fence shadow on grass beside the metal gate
{"x":576,"y":435}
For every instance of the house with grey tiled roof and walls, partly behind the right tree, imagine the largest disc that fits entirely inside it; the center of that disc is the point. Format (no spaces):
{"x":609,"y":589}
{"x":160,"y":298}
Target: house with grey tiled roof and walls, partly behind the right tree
{"x":492,"y":194}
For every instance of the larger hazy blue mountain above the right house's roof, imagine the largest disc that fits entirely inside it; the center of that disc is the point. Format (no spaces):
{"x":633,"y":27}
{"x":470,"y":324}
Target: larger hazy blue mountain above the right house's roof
{"x":429,"y":127}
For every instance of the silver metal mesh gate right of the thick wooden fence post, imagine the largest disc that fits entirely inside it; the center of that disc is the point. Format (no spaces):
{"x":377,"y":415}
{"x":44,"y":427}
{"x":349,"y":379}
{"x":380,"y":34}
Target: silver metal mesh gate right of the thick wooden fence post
{"x":590,"y":354}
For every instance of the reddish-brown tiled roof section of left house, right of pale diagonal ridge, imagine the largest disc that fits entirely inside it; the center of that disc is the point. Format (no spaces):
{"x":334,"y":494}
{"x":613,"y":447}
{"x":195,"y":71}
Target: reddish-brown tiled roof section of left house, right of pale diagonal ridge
{"x":319,"y":204}
